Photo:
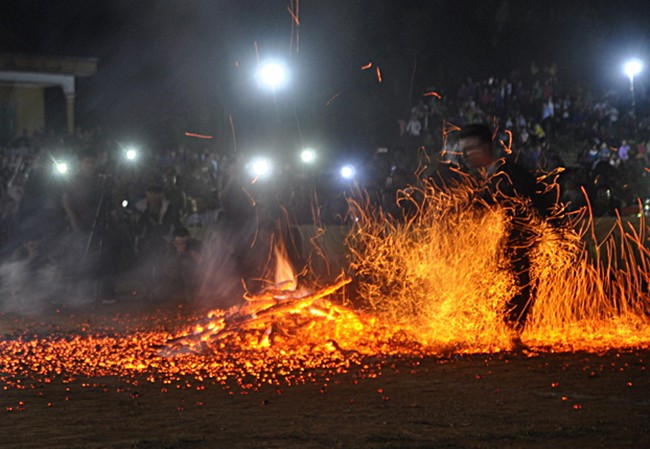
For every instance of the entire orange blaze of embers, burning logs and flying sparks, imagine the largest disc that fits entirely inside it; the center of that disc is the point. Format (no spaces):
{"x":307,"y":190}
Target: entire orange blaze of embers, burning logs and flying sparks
{"x":430,"y":284}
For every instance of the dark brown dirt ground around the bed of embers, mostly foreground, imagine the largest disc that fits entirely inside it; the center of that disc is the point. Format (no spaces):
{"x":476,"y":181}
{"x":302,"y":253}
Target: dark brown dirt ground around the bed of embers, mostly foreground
{"x":546,"y":400}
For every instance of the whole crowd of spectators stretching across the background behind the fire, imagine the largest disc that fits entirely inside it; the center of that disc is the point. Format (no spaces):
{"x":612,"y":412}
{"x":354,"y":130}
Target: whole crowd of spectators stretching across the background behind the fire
{"x":171,"y":215}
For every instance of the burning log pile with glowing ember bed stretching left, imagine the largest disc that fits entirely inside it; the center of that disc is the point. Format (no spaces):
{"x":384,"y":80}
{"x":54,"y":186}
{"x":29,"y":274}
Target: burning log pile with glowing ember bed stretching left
{"x":278,"y":336}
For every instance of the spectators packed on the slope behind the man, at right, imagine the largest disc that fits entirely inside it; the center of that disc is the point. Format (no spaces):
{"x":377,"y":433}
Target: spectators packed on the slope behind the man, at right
{"x":598,"y":138}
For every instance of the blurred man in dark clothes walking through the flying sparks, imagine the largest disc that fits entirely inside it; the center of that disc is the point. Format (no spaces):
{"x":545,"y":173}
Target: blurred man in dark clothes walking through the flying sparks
{"x":509,"y":185}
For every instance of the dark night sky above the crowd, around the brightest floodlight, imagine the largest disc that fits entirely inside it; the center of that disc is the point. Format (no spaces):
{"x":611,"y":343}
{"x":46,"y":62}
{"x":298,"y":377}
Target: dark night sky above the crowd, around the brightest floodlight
{"x":174,"y":65}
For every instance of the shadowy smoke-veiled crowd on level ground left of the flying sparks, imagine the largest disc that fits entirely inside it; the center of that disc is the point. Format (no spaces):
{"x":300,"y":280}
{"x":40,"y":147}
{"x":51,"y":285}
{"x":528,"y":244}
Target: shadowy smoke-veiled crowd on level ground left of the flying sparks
{"x":174,"y":222}
